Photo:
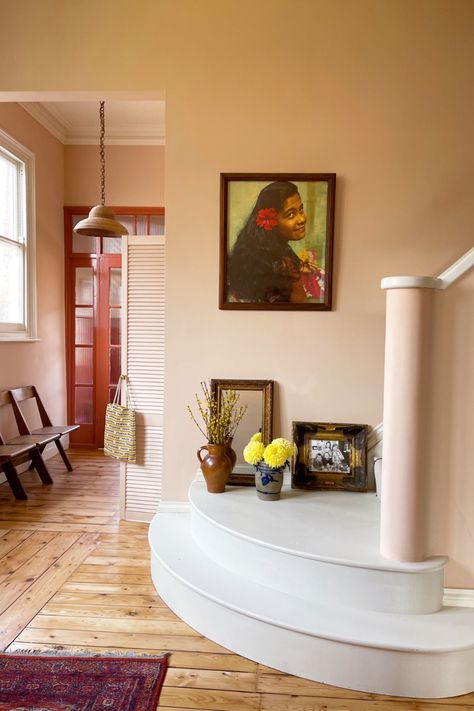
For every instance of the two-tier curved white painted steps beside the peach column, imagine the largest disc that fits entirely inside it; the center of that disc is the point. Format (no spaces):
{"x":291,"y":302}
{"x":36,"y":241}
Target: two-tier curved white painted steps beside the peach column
{"x":288,"y":584}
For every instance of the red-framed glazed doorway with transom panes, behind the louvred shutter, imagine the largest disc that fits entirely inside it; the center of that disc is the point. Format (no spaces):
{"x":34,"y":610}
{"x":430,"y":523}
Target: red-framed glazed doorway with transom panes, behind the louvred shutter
{"x":94,"y":316}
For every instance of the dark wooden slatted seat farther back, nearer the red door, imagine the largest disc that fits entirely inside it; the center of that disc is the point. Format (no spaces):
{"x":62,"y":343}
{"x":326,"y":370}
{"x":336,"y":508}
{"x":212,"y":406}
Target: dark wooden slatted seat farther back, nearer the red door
{"x":53,"y":433}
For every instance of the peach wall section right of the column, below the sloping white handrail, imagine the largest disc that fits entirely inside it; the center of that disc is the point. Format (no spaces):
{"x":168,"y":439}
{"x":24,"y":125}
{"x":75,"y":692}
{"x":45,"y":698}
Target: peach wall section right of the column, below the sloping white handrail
{"x":450,"y":412}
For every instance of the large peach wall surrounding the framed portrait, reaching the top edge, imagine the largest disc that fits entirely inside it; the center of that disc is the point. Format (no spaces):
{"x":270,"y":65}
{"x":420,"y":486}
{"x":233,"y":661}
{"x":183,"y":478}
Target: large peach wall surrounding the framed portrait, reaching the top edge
{"x":378,"y":92}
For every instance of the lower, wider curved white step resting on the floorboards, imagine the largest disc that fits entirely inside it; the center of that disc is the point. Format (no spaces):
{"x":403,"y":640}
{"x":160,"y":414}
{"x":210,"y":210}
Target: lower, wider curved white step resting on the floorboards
{"x":427,"y":656}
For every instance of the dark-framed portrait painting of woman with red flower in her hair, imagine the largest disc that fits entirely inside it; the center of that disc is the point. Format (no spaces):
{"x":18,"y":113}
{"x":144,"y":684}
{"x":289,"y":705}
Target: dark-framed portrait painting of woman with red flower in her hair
{"x":277,"y":234}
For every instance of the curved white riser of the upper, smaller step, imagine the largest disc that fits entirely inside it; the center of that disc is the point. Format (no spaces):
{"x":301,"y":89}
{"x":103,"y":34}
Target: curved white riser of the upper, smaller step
{"x":310,"y":579}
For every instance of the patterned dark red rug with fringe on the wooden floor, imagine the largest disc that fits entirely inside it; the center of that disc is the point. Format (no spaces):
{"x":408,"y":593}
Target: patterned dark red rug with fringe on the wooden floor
{"x":53,"y":683}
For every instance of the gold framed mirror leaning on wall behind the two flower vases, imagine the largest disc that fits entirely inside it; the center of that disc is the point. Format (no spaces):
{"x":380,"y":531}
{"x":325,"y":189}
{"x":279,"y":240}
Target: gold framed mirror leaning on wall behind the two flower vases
{"x":257,"y":395}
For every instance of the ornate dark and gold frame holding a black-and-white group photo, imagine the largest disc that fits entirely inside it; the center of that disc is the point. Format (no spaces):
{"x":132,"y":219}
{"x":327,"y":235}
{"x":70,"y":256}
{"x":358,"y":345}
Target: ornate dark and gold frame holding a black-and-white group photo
{"x":330,"y":456}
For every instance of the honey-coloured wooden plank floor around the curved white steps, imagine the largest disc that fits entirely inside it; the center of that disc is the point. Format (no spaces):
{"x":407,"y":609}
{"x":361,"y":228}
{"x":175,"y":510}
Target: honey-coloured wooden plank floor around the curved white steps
{"x":74,"y":577}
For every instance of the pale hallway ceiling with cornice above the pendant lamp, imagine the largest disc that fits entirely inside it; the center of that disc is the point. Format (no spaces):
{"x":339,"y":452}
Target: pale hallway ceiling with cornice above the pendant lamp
{"x":126,"y":122}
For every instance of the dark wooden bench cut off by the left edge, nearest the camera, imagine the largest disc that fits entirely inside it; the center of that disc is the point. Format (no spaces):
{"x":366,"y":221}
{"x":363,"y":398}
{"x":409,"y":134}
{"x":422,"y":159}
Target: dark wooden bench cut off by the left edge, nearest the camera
{"x":22,"y":449}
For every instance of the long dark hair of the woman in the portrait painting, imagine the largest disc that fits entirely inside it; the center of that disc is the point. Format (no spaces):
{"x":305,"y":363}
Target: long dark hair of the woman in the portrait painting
{"x":258,"y":264}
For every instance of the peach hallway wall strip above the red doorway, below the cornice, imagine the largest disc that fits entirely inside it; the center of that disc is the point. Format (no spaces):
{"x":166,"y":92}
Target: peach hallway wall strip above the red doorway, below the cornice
{"x":134,"y":175}
